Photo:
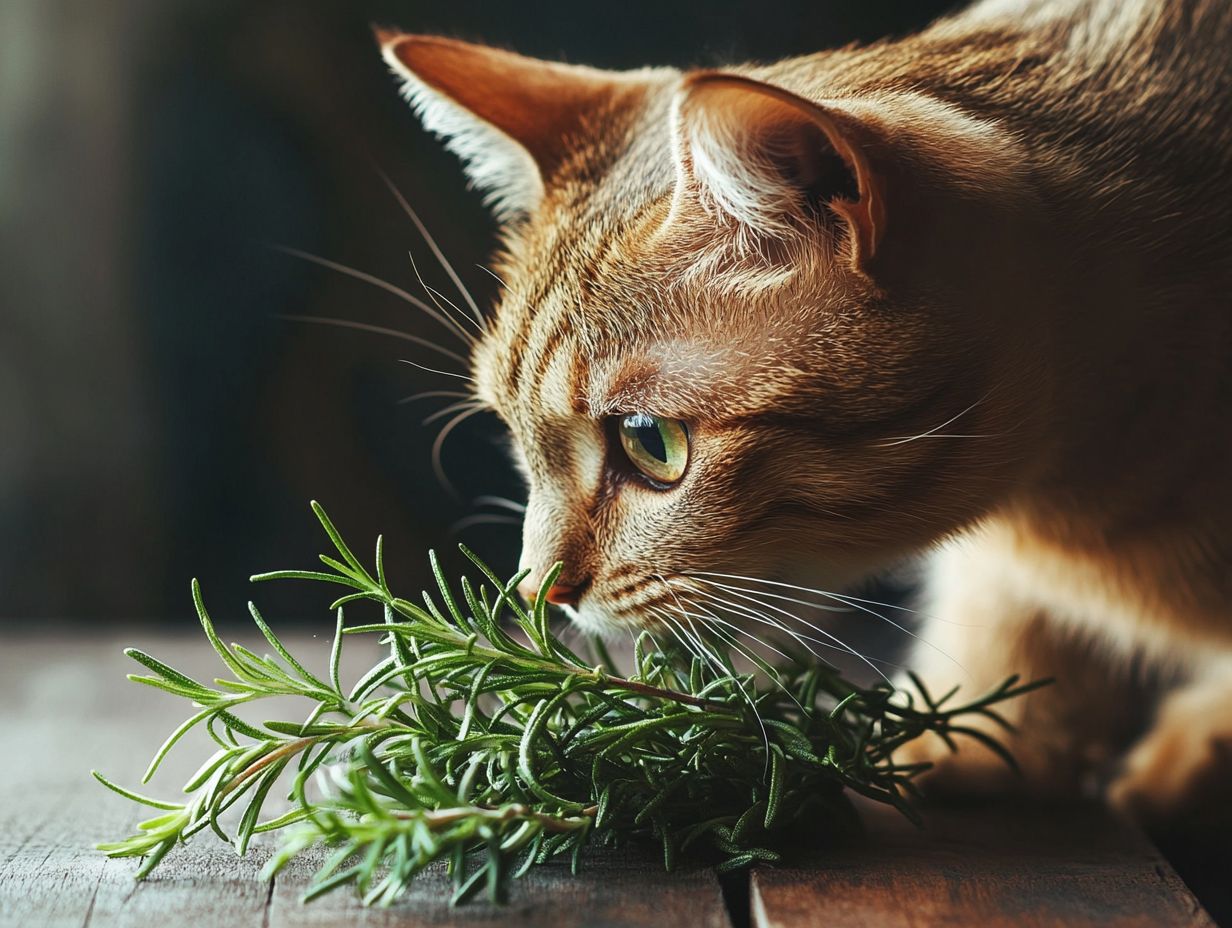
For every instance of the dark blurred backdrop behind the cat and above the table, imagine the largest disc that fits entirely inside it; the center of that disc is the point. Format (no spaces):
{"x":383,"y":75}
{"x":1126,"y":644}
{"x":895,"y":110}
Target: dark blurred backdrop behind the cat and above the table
{"x":158,"y":418}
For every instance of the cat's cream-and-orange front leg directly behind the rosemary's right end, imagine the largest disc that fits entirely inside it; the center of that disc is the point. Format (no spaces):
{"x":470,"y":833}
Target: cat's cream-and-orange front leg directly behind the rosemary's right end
{"x":981,"y":630}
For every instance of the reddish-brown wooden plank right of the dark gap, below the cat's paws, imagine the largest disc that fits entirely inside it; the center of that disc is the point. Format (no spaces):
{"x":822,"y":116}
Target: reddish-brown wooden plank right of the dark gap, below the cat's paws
{"x":986,"y":865}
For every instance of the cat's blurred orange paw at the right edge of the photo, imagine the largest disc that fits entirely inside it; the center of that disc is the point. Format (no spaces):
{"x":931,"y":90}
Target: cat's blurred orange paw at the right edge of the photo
{"x":1185,"y":761}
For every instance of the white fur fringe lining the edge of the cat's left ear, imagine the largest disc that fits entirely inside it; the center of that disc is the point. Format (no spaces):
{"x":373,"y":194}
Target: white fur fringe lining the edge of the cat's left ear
{"x":497,"y":166}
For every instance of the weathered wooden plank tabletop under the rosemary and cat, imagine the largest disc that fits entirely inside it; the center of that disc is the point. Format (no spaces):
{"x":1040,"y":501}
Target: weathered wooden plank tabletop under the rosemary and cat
{"x":66,"y":708}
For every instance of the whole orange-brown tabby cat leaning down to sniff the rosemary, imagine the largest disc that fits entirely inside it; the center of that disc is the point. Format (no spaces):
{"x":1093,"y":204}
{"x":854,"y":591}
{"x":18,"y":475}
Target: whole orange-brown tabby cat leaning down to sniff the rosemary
{"x":969,"y":294}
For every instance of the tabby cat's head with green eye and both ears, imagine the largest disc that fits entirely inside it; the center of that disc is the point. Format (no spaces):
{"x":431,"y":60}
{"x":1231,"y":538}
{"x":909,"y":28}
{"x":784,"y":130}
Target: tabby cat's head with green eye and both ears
{"x":745,"y":324}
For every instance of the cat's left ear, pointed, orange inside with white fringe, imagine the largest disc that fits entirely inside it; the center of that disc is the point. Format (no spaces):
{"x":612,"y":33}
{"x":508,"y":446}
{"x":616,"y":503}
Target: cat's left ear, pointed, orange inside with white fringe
{"x":503,"y":114}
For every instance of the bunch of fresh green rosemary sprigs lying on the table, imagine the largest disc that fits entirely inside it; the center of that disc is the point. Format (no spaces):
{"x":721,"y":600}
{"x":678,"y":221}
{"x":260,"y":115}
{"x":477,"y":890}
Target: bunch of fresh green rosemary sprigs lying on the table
{"x":495,"y":747}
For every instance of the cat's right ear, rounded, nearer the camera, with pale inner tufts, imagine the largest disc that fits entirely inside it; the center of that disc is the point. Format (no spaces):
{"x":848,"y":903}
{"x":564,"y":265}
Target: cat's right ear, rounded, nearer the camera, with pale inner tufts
{"x":774,"y":161}
